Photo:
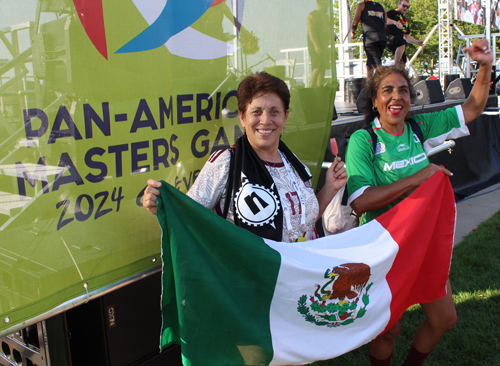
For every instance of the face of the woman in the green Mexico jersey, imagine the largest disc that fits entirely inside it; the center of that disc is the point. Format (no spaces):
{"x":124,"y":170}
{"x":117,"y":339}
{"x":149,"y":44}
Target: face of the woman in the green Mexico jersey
{"x":393,"y":102}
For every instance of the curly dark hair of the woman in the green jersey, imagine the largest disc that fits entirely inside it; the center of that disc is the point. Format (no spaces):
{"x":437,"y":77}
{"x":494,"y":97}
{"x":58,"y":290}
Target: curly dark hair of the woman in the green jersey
{"x":372,"y":86}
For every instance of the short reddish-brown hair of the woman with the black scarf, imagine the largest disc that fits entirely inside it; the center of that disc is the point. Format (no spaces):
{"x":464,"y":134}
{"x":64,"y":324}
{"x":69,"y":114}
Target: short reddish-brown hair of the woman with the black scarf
{"x":258,"y":83}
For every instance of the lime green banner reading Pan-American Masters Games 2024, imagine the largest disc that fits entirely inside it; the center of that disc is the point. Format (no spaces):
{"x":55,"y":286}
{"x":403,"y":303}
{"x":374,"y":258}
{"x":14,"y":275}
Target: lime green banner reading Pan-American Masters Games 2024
{"x":98,"y":96}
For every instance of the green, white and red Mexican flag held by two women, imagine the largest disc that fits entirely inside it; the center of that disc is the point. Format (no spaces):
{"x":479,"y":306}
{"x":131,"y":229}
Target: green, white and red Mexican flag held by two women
{"x":233,"y":298}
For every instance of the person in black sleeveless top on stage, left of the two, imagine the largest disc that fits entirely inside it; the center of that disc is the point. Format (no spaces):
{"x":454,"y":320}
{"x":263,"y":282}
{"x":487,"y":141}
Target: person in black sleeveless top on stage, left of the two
{"x":373,"y":22}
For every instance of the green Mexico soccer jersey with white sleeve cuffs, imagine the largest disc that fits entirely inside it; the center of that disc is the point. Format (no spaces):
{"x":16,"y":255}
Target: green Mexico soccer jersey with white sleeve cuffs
{"x":397,"y":156}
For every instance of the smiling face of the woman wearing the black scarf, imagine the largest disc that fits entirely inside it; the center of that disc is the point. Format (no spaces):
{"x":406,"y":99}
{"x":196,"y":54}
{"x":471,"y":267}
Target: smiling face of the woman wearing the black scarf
{"x":264,"y":120}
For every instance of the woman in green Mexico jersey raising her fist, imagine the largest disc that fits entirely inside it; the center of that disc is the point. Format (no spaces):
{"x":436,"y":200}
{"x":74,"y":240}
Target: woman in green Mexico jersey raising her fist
{"x":378,"y":180}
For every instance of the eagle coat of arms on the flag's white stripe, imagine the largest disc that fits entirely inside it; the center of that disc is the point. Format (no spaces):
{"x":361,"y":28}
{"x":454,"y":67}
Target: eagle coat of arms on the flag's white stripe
{"x":341,"y":300}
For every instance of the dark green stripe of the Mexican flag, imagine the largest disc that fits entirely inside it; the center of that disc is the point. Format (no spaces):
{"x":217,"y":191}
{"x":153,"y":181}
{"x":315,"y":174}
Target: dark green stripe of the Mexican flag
{"x":216,"y":293}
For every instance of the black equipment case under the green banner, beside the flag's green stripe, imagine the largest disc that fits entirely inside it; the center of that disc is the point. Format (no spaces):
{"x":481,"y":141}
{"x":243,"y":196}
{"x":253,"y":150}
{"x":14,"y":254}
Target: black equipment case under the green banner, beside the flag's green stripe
{"x":120,"y":328}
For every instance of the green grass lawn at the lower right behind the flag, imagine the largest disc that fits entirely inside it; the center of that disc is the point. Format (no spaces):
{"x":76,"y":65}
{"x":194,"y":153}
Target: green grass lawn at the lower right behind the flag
{"x":475,"y":279}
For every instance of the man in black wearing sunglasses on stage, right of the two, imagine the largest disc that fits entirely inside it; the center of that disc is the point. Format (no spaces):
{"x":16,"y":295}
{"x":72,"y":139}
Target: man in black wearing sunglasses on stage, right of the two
{"x":398,"y":37}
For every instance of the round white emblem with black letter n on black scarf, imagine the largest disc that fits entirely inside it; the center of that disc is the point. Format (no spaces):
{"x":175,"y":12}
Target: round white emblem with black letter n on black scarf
{"x":256,"y":205}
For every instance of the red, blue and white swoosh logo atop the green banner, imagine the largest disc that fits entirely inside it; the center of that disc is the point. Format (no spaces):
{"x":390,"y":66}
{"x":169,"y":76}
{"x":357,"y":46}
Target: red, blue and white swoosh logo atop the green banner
{"x":161,"y":30}
